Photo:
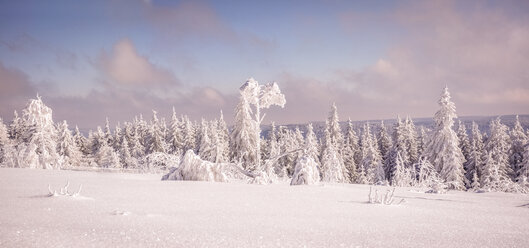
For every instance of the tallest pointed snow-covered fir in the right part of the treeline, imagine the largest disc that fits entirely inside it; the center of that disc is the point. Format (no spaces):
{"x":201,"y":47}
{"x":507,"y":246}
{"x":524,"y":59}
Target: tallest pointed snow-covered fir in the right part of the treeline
{"x":442,"y":148}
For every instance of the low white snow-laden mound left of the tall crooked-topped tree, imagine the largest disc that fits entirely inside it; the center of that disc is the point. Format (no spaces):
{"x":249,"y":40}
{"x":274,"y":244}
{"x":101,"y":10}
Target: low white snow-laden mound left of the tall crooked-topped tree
{"x":192,"y":168}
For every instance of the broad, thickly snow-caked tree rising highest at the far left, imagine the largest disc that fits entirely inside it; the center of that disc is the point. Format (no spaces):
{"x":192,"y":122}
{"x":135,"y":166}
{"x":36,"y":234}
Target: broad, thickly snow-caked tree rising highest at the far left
{"x":41,"y":136}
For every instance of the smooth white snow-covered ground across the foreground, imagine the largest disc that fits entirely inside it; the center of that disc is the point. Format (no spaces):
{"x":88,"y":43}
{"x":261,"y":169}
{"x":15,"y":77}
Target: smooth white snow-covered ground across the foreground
{"x":137,"y":210}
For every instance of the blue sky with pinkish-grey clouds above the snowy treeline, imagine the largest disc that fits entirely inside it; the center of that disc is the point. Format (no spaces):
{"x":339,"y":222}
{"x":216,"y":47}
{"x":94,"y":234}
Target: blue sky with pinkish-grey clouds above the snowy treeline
{"x":375,"y":59}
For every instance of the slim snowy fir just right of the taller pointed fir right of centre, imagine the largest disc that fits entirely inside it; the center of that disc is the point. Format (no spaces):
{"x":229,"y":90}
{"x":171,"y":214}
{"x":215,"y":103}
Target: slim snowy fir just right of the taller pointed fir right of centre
{"x":350,"y":151}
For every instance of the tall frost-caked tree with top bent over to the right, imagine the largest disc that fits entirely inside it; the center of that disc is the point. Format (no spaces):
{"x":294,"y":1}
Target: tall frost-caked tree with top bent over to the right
{"x":256,"y":97}
